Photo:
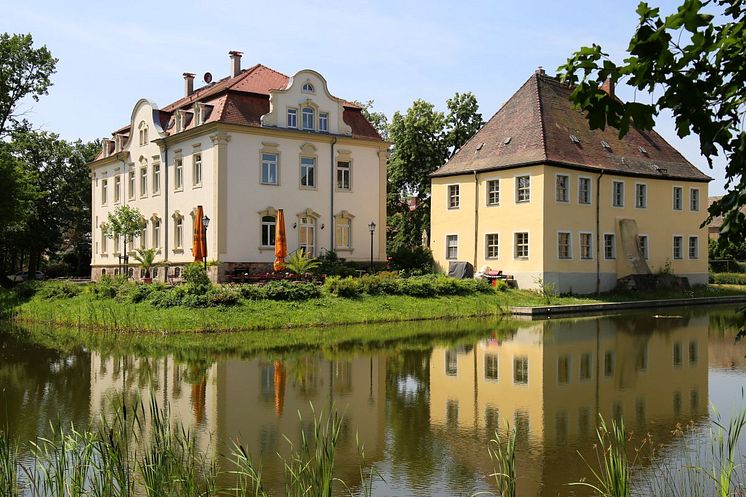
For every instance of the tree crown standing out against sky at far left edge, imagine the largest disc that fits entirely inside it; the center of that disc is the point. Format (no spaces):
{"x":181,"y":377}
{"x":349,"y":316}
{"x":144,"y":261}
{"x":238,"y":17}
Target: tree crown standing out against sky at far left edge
{"x":24,"y":72}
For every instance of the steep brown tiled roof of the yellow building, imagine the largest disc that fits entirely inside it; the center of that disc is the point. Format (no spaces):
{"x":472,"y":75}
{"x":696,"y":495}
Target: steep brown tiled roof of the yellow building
{"x":539,"y":125}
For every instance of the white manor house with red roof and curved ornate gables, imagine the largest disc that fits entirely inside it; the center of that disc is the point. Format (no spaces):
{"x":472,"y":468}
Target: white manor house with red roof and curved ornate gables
{"x":243,"y":147}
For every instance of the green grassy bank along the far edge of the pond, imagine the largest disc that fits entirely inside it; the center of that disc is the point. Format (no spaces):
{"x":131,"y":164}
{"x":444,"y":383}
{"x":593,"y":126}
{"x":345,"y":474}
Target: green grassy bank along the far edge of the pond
{"x":92,"y":311}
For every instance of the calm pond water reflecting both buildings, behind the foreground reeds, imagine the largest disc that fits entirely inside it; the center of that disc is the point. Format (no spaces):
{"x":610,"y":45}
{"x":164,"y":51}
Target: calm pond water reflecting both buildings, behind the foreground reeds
{"x":423,"y":409}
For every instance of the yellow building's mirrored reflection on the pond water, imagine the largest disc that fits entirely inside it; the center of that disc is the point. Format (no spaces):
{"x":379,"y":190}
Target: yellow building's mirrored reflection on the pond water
{"x":551,"y":379}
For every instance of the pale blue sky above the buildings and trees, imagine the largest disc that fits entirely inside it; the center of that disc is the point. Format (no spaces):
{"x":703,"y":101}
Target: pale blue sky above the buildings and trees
{"x":392,"y":52}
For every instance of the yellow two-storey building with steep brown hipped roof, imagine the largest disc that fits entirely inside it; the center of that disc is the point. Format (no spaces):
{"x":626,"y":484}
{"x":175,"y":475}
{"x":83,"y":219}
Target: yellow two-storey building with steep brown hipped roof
{"x":538,"y":195}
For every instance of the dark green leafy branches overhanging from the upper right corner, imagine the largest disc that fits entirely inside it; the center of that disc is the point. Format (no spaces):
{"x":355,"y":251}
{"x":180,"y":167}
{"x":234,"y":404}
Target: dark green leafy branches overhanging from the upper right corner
{"x":696,"y":56}
